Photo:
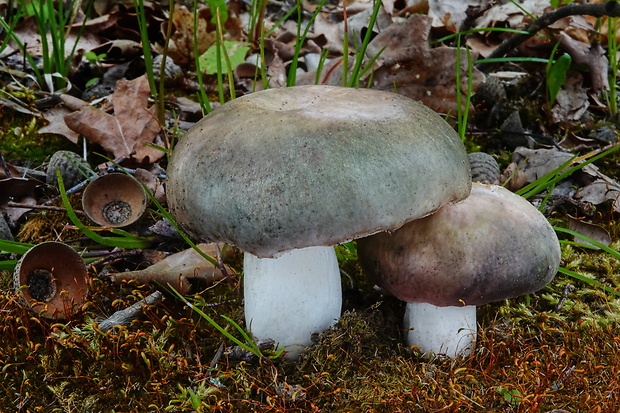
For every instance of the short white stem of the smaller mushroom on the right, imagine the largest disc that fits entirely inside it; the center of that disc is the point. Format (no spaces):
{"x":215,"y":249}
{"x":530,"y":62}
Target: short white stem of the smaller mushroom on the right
{"x":449,"y":331}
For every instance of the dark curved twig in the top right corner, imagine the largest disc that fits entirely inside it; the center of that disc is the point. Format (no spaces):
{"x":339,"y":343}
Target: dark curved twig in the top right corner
{"x":611,"y":9}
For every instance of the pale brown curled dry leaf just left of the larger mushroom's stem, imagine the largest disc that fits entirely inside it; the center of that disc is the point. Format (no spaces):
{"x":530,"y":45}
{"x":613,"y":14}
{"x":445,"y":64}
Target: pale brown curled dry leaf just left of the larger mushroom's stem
{"x":177,"y":269}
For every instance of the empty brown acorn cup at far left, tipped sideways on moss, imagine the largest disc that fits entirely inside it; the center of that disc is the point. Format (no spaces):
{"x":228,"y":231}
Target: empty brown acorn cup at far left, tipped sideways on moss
{"x":51,"y":278}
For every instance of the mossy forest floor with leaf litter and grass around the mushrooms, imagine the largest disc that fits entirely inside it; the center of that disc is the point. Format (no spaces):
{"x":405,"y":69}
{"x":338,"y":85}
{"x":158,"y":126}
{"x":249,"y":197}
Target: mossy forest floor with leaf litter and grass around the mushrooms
{"x":546,"y":102}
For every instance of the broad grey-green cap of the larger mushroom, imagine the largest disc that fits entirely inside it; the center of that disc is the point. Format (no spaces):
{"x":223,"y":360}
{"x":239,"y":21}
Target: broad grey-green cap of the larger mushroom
{"x":313,"y":166}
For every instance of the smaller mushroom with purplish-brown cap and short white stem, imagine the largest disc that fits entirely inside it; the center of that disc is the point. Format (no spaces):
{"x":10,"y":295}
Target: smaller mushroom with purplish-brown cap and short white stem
{"x":492,"y":246}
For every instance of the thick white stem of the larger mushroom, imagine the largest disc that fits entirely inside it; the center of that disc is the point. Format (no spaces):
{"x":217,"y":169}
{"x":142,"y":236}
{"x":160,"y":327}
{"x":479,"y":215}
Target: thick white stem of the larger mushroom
{"x":292,"y":296}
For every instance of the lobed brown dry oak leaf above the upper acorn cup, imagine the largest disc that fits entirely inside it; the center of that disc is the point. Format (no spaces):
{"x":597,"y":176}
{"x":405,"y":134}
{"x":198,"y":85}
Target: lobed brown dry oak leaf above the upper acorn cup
{"x":125,"y":133}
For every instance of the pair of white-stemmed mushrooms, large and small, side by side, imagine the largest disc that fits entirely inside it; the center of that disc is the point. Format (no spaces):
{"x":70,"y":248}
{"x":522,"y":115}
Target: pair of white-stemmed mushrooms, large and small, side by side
{"x":286,"y":174}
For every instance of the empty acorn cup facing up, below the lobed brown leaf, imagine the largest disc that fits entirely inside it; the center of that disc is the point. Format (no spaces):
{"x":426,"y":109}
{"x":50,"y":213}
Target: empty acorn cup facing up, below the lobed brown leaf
{"x":114,"y":200}
